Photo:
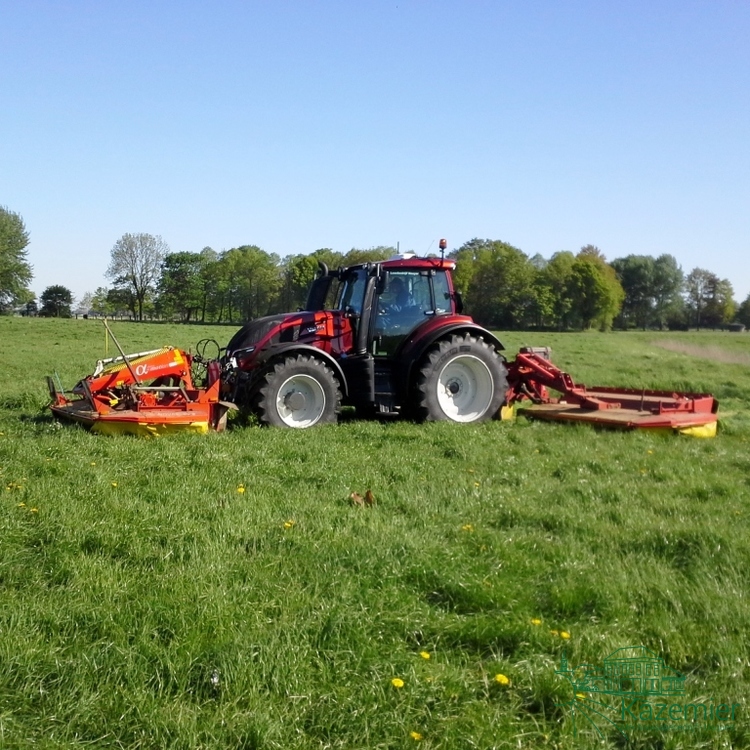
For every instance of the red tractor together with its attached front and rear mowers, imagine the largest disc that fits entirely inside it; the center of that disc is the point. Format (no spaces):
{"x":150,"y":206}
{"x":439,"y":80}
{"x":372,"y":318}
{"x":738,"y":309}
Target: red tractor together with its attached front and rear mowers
{"x":388,"y":339}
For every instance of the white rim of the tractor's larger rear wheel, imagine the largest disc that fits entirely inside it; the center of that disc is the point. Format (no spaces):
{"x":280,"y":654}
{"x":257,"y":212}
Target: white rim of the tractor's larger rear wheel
{"x":465,"y":389}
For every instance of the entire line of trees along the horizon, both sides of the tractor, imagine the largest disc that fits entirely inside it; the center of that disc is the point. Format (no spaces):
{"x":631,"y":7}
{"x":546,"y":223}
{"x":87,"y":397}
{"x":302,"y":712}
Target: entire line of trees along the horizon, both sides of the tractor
{"x":502,"y":287}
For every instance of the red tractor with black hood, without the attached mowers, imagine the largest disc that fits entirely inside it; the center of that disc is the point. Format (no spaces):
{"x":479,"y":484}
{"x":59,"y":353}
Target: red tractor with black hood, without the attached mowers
{"x":387,"y":338}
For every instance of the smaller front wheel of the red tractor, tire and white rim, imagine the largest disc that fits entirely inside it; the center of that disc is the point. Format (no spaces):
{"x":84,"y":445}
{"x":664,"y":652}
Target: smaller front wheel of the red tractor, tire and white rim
{"x":299,"y":391}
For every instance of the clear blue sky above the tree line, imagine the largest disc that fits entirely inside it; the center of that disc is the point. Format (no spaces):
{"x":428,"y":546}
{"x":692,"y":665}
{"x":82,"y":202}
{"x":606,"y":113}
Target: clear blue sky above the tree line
{"x":299,"y":125}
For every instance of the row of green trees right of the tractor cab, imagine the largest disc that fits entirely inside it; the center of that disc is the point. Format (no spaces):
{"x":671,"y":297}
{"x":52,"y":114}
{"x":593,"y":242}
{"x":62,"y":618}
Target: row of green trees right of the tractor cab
{"x":507,"y":289}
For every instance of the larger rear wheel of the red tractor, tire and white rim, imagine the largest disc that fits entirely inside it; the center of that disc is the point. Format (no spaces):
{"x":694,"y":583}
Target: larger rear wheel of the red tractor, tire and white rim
{"x":462,"y":379}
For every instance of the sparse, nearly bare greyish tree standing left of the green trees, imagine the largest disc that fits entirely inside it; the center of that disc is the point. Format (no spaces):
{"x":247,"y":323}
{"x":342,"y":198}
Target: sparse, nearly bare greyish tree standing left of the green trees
{"x":135,"y":266}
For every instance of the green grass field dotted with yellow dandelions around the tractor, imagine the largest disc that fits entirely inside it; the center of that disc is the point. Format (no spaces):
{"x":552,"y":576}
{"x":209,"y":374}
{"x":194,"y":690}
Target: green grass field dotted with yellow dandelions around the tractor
{"x":221,"y":592}
